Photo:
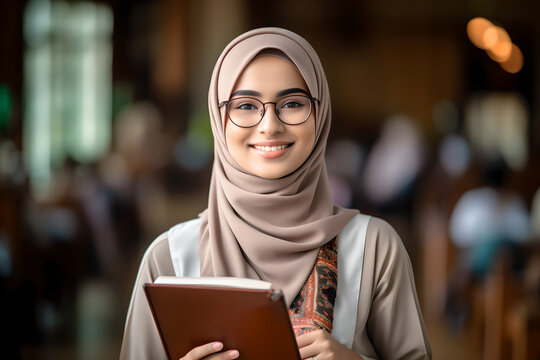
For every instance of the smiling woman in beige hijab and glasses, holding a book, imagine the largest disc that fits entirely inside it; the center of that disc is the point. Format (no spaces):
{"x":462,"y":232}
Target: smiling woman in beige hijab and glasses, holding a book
{"x":270,"y":216}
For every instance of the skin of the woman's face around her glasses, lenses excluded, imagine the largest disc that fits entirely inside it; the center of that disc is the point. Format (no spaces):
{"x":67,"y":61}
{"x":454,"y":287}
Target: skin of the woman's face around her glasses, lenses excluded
{"x":271,"y":149}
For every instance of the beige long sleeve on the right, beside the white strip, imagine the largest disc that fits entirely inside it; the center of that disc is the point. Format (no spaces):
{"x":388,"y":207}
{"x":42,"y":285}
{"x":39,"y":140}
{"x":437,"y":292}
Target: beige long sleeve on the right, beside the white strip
{"x":389,"y":321}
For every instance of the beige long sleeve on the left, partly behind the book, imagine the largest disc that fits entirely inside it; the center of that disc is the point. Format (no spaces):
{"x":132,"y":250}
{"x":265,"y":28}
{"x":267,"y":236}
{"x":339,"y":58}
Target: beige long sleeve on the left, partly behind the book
{"x":141,"y":339}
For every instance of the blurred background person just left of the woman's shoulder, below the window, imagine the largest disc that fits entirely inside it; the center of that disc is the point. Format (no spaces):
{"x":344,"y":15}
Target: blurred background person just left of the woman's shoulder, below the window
{"x":125,"y":189}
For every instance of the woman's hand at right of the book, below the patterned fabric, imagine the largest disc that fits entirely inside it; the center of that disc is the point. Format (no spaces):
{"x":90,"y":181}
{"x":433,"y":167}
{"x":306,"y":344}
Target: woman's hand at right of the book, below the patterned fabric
{"x":321,"y":344}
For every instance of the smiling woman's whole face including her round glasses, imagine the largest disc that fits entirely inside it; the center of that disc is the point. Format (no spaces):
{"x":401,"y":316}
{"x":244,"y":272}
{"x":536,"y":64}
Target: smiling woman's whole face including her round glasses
{"x":270,"y":148}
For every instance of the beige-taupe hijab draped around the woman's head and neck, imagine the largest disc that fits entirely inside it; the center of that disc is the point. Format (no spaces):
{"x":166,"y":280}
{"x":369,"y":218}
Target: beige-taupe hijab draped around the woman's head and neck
{"x":269,"y":229}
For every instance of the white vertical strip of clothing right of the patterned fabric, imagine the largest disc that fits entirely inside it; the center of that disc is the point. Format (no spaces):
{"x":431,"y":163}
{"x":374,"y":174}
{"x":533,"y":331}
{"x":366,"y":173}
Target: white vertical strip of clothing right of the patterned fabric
{"x":351,"y":243}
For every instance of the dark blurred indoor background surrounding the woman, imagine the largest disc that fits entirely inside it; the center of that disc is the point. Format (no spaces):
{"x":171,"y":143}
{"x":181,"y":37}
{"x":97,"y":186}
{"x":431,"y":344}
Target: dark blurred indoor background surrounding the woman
{"x":105,"y":143}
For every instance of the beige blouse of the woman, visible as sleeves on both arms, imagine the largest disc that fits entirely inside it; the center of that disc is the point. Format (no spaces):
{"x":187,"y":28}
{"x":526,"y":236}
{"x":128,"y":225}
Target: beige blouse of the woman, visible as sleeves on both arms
{"x":389,"y":323}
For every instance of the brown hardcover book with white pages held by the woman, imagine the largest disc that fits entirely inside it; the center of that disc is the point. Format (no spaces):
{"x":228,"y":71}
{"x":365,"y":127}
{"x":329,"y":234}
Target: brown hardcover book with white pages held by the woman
{"x":244,"y":314}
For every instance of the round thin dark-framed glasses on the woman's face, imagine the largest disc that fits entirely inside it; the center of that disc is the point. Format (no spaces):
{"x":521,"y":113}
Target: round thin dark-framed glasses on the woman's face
{"x":247,"y":112}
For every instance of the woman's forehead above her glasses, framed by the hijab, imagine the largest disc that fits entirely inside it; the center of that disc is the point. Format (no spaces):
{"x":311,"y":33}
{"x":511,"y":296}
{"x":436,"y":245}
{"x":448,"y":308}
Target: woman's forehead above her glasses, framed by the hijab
{"x":268,"y":74}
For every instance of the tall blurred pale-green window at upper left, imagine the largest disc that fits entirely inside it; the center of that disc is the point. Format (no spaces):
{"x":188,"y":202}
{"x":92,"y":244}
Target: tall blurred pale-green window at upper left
{"x":67,"y":71}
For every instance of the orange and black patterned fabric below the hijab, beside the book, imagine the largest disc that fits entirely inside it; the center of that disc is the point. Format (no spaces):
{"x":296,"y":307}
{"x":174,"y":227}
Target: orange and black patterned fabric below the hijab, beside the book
{"x":313,"y":307}
